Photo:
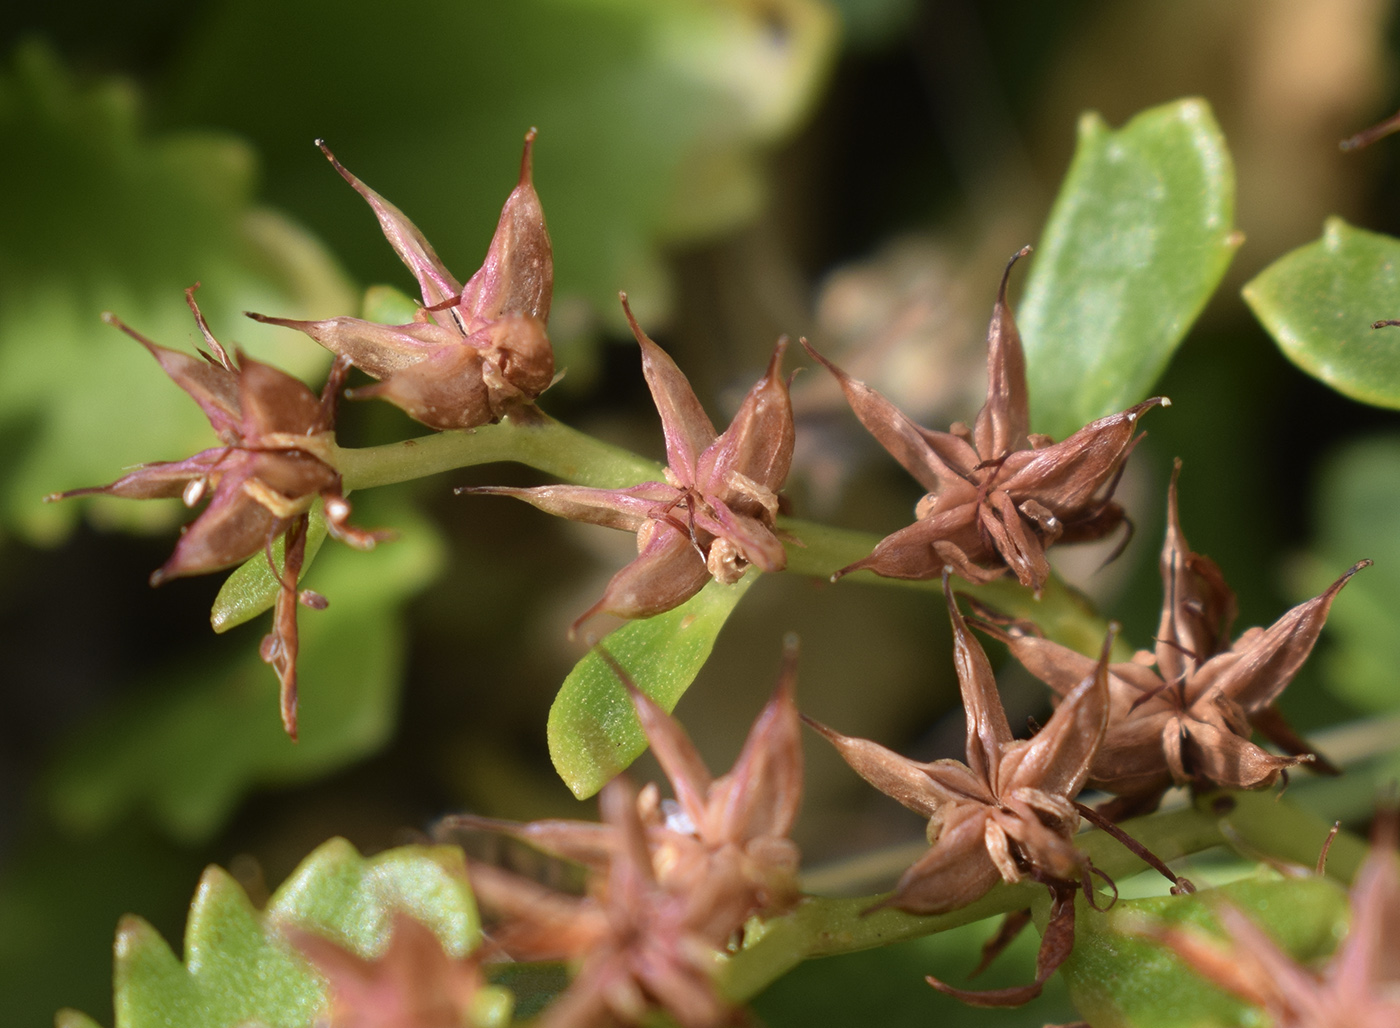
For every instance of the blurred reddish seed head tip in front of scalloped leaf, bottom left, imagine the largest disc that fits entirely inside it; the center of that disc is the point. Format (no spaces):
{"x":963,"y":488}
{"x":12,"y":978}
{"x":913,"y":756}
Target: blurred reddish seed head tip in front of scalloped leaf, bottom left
{"x":412,"y":985}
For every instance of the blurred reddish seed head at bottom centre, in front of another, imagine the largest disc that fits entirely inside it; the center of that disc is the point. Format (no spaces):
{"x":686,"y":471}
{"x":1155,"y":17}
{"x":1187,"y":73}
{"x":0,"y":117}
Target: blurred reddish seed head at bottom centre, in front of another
{"x":636,"y":943}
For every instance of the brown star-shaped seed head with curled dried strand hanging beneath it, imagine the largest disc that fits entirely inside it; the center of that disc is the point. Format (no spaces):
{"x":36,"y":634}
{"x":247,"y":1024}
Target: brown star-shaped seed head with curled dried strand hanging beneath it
{"x":1007,"y":814}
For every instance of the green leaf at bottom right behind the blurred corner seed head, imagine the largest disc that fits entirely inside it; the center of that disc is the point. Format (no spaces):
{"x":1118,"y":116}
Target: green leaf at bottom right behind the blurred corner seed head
{"x":1119,"y":980}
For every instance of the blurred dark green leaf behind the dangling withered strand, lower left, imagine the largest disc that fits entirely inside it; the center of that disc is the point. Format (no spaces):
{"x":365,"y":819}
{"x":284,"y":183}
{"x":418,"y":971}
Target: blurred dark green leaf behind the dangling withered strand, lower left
{"x":187,"y":749}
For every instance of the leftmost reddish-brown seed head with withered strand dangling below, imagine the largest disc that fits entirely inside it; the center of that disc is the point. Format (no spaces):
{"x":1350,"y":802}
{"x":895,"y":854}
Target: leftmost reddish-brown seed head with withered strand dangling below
{"x":275,"y":461}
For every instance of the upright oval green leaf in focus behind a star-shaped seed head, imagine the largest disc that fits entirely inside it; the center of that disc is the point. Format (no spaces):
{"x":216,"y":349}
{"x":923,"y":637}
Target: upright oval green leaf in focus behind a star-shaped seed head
{"x":1139,"y":239}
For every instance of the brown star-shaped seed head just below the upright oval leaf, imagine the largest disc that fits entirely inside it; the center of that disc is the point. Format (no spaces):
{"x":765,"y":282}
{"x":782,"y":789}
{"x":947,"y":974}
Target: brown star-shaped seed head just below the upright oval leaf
{"x":999,"y":495}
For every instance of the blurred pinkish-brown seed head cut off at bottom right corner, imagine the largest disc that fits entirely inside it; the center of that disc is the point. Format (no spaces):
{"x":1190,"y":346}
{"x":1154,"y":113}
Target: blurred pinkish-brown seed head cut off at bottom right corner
{"x":1360,"y":988}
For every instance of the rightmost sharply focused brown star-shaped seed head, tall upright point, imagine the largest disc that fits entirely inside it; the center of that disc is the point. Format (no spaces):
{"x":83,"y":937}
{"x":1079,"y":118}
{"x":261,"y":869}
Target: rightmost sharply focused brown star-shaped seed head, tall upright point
{"x":1185,"y":712}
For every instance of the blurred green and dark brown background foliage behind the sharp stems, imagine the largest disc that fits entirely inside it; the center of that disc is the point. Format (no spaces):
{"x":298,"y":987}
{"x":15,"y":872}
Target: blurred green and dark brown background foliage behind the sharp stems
{"x":856,"y":172}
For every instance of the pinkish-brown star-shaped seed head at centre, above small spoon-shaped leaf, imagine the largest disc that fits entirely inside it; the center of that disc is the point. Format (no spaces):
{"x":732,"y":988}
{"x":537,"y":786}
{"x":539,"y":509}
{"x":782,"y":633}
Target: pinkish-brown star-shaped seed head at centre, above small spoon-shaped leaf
{"x":715,"y":515}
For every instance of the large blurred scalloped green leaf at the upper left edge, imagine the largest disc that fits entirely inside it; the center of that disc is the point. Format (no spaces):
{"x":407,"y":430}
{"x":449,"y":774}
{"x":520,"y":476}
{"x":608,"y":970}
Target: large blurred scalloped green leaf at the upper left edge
{"x":117,"y":219}
